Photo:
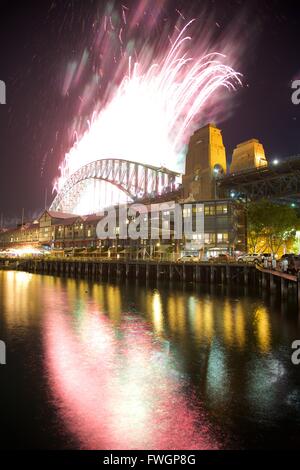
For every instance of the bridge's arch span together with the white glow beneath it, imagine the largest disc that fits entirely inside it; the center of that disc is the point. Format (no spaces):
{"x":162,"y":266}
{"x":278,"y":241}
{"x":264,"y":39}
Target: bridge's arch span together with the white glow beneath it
{"x":109,"y":181}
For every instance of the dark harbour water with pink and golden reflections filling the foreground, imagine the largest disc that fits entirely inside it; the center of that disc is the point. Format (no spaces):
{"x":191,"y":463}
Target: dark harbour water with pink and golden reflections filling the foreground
{"x":132,"y":366}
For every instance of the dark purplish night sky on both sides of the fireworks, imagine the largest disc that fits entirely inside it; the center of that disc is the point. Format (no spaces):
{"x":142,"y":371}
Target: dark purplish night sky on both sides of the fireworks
{"x":39,"y":39}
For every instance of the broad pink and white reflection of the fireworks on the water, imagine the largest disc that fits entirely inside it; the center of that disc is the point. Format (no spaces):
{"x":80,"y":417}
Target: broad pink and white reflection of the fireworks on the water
{"x":117,"y":388}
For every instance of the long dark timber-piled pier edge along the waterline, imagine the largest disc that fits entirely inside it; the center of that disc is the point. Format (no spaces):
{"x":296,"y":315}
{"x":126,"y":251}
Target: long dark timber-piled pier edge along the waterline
{"x":189,"y":272}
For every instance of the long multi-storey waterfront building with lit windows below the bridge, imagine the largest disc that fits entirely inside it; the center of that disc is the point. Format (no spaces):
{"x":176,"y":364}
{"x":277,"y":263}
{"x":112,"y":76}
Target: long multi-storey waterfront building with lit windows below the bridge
{"x":223,"y":232}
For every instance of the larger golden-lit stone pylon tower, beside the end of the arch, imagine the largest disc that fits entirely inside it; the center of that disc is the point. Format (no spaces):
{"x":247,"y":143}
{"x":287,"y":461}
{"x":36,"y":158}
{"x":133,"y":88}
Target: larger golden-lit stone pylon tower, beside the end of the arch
{"x":205,"y":160}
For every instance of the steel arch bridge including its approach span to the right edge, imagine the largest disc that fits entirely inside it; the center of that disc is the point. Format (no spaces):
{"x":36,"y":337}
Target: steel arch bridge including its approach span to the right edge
{"x":110,"y":181}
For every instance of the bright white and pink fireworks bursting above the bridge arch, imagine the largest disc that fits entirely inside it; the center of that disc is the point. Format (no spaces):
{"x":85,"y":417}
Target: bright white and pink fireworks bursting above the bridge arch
{"x":162,"y":91}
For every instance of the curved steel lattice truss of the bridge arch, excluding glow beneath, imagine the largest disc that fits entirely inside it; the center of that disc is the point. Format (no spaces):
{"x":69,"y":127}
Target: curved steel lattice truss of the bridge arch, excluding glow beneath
{"x":135,"y":179}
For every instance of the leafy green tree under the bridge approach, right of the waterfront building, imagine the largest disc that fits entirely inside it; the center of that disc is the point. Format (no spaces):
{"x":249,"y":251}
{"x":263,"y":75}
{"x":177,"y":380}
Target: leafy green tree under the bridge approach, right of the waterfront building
{"x":271,"y":225}
